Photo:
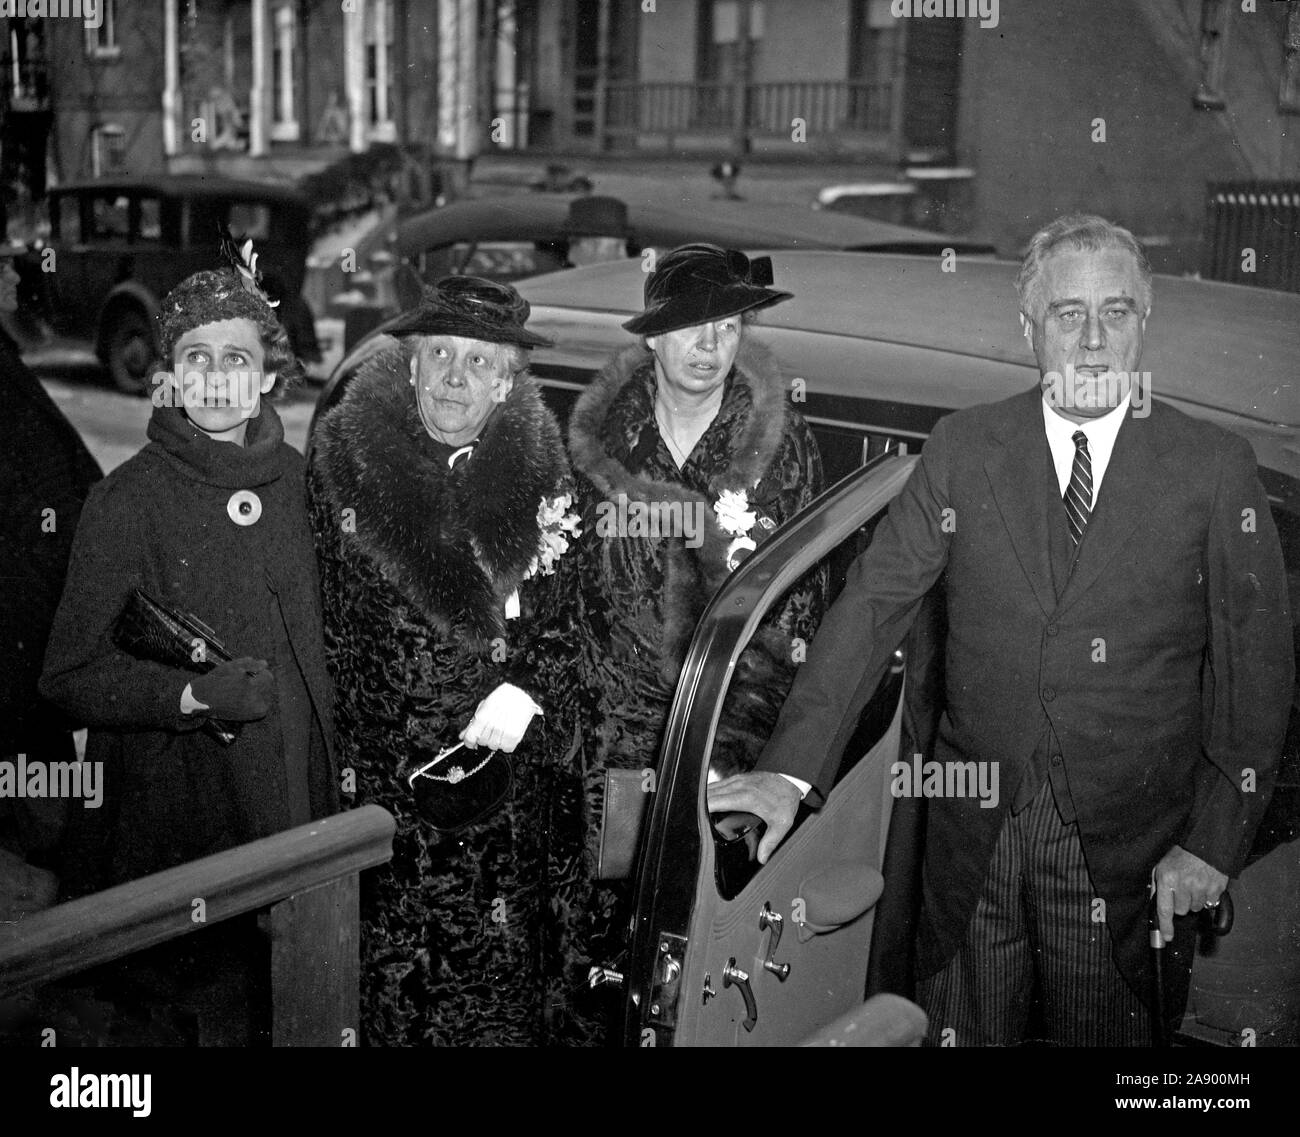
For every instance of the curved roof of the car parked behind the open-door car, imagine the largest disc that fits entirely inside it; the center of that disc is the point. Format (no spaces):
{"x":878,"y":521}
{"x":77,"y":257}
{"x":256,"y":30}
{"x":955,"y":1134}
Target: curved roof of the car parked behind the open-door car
{"x":734,"y":224}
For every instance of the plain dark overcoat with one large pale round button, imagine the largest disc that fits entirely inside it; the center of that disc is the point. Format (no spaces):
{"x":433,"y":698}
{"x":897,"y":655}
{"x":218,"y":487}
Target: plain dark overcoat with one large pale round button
{"x":163,"y":523}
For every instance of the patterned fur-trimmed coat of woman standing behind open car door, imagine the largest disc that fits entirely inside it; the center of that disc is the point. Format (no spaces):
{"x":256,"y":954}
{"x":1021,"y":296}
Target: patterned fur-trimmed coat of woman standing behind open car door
{"x":642,"y":597}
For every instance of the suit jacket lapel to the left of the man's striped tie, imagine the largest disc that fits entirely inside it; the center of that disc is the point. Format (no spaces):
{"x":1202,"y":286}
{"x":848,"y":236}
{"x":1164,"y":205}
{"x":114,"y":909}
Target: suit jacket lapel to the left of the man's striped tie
{"x":1016,"y":471}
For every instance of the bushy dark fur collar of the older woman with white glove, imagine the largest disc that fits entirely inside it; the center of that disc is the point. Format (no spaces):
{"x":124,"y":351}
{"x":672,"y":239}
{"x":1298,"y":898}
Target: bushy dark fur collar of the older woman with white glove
{"x":456,"y":544}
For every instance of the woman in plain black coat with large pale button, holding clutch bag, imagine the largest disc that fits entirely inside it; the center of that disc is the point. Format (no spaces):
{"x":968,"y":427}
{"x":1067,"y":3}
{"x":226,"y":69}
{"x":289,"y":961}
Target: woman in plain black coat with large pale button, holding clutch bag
{"x":210,"y":518}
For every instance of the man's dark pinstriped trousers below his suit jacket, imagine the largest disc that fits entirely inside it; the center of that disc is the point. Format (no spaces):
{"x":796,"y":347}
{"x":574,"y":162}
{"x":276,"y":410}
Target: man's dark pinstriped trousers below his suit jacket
{"x":1037,"y":965}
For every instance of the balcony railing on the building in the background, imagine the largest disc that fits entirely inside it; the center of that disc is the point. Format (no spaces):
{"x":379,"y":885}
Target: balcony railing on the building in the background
{"x":826,"y":109}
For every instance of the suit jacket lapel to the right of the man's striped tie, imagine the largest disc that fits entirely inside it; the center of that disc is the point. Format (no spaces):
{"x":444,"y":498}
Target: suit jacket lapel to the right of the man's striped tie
{"x":1134,"y":479}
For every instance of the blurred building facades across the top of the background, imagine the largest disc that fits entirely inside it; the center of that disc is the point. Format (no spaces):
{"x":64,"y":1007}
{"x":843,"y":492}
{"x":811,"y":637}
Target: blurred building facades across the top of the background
{"x":1172,"y":116}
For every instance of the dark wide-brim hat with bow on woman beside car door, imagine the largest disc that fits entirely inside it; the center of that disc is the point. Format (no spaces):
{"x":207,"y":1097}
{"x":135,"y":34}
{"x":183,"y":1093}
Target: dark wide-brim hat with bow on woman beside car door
{"x":697,"y":284}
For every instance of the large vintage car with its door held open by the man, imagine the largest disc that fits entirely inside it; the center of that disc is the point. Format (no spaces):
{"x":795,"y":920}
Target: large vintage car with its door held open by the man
{"x":879,"y":349}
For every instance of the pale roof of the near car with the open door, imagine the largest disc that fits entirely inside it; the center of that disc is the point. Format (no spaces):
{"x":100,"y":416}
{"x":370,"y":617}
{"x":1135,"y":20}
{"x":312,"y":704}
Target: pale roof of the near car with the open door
{"x":1224,"y":348}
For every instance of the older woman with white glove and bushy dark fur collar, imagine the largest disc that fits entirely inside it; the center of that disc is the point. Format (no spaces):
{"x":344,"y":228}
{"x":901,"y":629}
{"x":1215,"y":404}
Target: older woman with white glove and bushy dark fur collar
{"x":427,"y":488}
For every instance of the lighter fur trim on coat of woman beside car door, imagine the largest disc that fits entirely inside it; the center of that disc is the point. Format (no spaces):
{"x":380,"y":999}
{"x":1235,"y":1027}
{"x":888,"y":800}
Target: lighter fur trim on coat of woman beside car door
{"x":691,"y":575}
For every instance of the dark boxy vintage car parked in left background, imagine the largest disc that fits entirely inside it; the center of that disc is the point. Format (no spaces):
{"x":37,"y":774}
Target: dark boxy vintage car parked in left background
{"x":123,"y":245}
